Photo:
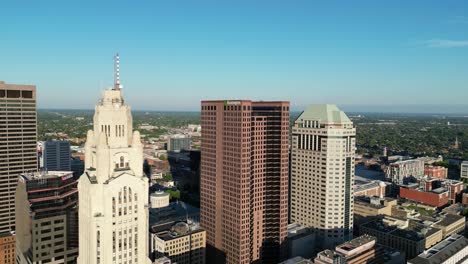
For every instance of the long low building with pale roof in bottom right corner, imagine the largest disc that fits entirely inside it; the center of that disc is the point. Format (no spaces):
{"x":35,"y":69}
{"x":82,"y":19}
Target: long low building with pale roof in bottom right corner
{"x":452,"y":250}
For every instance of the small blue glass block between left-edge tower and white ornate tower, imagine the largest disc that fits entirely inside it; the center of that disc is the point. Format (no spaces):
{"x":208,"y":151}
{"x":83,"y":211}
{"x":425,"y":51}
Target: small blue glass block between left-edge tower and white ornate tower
{"x":56,"y":155}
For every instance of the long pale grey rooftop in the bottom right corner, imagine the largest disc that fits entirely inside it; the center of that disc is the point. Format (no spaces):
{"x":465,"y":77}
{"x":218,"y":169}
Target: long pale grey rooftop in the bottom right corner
{"x":442,"y":251}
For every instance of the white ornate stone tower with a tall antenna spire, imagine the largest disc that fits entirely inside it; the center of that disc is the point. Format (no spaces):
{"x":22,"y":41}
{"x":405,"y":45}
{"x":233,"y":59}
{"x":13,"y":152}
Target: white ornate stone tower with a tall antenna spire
{"x":113,"y":191}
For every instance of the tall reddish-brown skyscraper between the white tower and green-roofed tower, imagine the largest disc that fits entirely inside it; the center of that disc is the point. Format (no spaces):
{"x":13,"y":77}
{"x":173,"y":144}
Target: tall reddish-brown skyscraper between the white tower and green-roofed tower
{"x":244,"y":180}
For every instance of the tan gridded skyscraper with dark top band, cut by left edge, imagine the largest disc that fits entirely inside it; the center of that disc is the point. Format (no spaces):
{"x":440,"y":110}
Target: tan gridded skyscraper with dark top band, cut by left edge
{"x":18,"y":152}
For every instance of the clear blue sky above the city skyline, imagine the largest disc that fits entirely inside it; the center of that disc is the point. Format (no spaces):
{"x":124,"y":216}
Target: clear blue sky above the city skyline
{"x":357,"y":54}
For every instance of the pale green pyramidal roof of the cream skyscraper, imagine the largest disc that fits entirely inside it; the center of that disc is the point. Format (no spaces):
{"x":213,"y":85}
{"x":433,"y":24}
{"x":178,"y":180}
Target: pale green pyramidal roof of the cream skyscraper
{"x":326,"y":113}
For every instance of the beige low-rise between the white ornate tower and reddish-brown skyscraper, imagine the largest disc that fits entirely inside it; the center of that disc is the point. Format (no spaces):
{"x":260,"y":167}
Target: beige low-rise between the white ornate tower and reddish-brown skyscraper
{"x":183,"y":243}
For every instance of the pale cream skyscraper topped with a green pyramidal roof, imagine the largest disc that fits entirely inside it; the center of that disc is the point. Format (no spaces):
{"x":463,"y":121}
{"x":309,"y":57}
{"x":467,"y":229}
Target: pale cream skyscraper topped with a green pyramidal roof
{"x":322,"y":173}
